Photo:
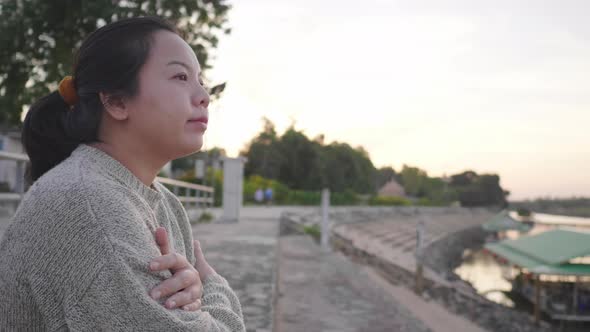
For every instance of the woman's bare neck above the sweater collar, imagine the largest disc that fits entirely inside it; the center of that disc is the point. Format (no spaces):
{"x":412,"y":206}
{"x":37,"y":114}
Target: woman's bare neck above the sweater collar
{"x":139,"y":161}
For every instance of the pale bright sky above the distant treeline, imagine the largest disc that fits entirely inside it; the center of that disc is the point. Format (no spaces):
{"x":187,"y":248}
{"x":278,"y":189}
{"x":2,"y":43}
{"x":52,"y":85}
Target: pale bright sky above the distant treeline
{"x":493,"y":86}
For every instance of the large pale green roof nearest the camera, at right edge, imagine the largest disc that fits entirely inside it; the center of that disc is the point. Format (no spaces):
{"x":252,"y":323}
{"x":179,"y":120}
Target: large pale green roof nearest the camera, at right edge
{"x":547,"y":253}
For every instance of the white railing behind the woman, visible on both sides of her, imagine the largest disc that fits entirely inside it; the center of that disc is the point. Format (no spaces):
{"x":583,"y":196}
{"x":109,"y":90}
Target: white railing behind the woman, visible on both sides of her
{"x":195,"y":195}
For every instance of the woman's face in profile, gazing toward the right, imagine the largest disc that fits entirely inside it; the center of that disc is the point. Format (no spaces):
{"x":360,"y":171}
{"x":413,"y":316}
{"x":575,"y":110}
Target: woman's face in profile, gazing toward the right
{"x":169,"y":115}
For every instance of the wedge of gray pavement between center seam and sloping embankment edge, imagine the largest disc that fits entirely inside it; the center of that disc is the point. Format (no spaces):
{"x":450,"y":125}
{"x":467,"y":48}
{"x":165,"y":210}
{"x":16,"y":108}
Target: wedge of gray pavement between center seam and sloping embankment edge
{"x":327,"y":292}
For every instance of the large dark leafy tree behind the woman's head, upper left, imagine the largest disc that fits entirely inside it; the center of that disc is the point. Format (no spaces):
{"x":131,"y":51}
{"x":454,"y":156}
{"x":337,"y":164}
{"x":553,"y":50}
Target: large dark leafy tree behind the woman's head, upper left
{"x":39,"y":37}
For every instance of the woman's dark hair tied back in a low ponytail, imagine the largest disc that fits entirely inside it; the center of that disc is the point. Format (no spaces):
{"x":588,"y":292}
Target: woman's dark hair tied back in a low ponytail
{"x":108,"y":61}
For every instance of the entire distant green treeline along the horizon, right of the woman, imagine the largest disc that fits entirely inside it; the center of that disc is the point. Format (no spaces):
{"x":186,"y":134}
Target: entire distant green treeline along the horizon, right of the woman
{"x":307,"y":166}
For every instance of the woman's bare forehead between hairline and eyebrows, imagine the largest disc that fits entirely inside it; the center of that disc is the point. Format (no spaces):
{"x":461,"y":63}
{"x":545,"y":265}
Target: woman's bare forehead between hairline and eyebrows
{"x":167,"y":47}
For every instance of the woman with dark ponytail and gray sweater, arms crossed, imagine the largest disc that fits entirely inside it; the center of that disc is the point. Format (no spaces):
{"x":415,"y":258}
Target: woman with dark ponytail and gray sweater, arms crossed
{"x":96,"y":244}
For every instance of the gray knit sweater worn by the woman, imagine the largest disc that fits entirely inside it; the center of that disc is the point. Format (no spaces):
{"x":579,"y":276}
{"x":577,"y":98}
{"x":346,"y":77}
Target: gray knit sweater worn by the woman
{"x":76,"y":255}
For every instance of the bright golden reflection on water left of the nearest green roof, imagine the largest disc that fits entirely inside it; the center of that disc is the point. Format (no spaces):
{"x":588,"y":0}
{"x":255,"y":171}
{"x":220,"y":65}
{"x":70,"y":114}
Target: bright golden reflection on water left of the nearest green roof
{"x":486,"y":276}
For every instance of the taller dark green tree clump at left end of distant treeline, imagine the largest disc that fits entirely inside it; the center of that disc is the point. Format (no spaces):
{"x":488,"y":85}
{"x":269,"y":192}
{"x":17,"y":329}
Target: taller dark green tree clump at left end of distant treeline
{"x":310,"y":165}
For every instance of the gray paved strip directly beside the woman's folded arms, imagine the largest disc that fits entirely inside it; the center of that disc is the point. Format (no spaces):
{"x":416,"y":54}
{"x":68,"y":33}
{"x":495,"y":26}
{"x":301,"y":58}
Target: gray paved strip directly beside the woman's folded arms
{"x":244,"y":253}
